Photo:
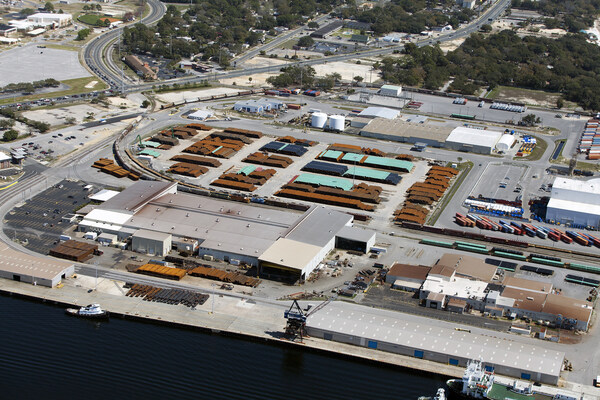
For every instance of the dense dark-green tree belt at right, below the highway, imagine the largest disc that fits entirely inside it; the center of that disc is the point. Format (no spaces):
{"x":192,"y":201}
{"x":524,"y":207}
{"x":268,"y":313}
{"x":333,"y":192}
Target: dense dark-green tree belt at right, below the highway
{"x":568,"y":65}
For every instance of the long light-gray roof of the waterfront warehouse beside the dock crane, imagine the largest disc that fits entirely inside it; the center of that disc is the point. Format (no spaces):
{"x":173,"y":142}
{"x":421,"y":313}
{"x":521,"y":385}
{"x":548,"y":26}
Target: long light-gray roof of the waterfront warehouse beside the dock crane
{"x":391,"y":327}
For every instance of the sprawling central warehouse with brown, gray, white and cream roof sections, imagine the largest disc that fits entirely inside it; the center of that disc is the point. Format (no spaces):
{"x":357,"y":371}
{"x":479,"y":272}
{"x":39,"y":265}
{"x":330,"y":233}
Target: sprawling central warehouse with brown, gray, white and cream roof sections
{"x":280,"y":242}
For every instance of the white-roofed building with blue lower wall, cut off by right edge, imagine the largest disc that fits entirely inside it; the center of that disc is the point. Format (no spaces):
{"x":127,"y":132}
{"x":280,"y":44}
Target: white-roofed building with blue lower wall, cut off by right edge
{"x":574,"y":202}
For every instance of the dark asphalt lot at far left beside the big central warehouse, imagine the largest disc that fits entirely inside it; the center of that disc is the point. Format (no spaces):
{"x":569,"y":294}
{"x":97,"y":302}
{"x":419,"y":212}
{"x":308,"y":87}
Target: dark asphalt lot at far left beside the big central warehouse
{"x":38,"y":222}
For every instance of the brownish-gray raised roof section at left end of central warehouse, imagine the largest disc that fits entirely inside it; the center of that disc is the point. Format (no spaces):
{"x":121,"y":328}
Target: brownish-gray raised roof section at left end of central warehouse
{"x":138,"y":195}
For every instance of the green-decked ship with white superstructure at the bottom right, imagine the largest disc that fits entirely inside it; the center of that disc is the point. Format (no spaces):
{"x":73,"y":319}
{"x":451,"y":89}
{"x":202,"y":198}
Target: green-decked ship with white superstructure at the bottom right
{"x":478,"y":383}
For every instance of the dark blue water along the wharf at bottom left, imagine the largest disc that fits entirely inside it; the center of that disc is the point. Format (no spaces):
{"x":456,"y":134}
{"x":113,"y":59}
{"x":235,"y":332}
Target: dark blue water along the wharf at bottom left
{"x":45,"y":354}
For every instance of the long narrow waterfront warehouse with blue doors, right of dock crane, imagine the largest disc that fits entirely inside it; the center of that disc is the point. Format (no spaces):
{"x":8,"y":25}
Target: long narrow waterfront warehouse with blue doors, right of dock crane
{"x":407,"y":335}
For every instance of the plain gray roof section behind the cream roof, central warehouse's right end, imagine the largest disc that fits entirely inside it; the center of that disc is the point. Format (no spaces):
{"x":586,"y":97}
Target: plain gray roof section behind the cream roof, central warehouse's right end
{"x":318,"y":226}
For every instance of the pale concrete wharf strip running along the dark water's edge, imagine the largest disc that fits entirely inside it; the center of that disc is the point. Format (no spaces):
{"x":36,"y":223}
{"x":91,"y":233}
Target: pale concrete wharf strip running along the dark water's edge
{"x":258,"y":319}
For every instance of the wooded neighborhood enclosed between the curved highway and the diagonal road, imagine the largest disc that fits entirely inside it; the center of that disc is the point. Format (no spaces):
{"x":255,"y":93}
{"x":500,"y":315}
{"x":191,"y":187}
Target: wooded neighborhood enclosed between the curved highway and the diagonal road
{"x":218,"y":29}
